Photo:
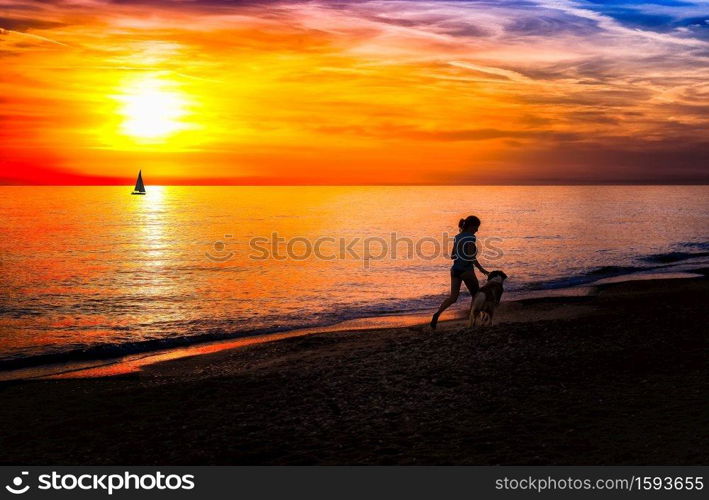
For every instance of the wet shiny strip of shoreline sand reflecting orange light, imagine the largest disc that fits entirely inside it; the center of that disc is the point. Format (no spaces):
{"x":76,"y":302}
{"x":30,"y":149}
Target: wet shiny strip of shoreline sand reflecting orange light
{"x":129,"y":363}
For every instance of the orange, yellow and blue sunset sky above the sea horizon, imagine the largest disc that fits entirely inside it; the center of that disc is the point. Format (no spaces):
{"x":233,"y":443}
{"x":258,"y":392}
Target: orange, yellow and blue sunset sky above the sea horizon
{"x":354,"y":92}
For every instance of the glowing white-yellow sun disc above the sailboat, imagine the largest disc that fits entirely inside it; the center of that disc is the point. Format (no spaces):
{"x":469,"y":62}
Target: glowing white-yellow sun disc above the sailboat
{"x":152,"y":109}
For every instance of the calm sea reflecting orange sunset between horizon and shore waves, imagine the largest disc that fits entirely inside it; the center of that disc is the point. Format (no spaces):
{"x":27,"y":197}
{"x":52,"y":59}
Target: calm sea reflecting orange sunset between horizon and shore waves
{"x":96,"y":271}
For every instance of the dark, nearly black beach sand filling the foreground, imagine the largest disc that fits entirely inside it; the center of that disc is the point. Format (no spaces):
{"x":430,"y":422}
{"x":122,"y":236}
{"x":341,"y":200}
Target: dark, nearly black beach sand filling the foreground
{"x":616,"y":378}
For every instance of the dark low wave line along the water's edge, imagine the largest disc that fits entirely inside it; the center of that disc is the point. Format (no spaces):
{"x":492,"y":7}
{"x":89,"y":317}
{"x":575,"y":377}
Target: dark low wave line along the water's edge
{"x":226,"y":330}
